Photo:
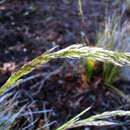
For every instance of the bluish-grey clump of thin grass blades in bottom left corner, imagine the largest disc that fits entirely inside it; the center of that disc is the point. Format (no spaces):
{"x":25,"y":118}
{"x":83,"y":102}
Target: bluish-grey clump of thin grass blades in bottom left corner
{"x":11,"y":113}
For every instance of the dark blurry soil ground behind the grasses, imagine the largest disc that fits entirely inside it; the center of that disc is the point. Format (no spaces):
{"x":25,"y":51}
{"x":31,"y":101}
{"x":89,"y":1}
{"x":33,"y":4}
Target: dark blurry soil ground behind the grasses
{"x":29,"y":28}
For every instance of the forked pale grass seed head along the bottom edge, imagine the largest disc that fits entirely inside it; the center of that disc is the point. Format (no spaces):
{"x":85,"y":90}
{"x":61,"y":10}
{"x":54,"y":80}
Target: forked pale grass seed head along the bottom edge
{"x":95,"y":120}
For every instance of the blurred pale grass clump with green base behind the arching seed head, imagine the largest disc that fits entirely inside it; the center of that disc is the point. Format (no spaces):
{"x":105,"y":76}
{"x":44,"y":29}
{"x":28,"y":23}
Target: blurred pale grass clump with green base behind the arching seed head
{"x":115,"y":37}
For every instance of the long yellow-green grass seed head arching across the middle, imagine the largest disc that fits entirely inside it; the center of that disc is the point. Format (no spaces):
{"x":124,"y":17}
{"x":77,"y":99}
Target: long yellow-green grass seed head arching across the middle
{"x":73,"y":51}
